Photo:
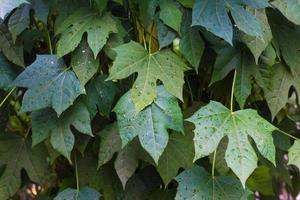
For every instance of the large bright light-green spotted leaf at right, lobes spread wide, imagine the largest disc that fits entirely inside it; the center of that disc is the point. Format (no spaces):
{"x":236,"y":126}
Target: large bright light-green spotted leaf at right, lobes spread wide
{"x":214,"y":121}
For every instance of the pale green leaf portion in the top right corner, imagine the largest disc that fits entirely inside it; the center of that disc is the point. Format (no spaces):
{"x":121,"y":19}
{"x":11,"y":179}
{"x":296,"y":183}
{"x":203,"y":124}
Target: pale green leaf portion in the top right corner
{"x":289,"y":8}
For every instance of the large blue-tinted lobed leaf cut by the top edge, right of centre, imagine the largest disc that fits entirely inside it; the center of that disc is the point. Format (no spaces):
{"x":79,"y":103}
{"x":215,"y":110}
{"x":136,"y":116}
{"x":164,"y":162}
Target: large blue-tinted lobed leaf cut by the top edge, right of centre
{"x":212,"y":14}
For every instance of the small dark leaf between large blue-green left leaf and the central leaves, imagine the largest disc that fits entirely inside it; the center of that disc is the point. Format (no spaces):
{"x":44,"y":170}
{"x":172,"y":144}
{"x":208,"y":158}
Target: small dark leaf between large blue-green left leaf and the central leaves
{"x":100,"y":94}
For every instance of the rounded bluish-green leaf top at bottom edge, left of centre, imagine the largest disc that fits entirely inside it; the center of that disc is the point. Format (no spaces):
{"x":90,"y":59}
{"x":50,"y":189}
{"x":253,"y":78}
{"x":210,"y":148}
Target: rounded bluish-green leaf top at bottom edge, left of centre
{"x":82,"y":194}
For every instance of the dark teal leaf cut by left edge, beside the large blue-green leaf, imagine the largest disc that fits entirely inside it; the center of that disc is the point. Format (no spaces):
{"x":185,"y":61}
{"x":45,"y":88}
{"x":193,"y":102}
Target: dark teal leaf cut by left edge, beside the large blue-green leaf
{"x":7,"y":74}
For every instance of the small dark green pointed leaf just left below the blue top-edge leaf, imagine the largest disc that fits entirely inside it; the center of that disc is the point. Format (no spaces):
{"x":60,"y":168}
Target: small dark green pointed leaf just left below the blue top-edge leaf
{"x":192,"y":46}
